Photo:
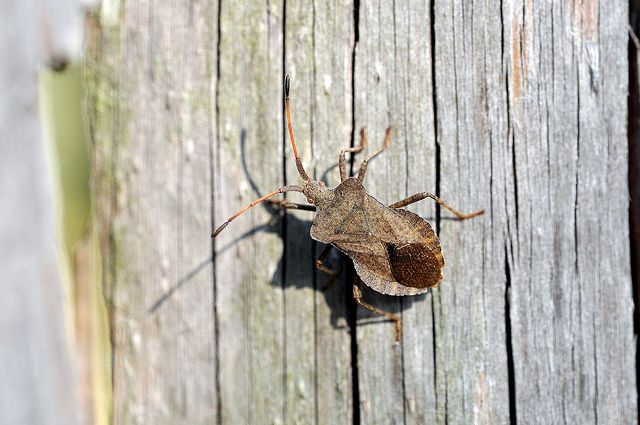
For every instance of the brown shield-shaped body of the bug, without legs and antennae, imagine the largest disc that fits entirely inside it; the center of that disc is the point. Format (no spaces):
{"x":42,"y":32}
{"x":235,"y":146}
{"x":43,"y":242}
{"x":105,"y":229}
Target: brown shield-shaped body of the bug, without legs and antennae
{"x":394,"y":251}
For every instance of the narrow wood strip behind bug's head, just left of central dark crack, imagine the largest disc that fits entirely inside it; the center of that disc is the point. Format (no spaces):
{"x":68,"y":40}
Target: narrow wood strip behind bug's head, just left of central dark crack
{"x":331,"y":130}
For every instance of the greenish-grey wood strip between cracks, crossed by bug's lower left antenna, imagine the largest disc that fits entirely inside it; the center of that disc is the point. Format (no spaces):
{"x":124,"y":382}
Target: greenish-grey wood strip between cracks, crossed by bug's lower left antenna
{"x":248,"y":165}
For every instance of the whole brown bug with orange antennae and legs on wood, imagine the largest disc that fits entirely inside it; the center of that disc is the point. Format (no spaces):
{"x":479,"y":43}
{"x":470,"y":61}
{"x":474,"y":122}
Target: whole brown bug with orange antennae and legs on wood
{"x":394,"y":251}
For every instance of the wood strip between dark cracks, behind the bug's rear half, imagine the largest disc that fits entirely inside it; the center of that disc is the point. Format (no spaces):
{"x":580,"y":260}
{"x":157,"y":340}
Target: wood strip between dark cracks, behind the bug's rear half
{"x":393,"y":87}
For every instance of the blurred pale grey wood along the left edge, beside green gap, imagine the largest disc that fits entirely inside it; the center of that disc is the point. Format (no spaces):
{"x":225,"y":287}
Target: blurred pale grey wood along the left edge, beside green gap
{"x":38,"y":377}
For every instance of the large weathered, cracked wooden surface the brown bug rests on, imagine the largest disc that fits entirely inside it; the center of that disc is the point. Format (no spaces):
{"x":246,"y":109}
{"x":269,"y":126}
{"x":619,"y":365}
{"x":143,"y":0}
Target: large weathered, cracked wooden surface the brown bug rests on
{"x":515,"y":108}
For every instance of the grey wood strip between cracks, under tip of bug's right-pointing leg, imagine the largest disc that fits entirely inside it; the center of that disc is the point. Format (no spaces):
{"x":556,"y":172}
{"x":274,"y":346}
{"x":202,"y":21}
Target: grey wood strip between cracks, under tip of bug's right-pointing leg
{"x":471,"y":363}
